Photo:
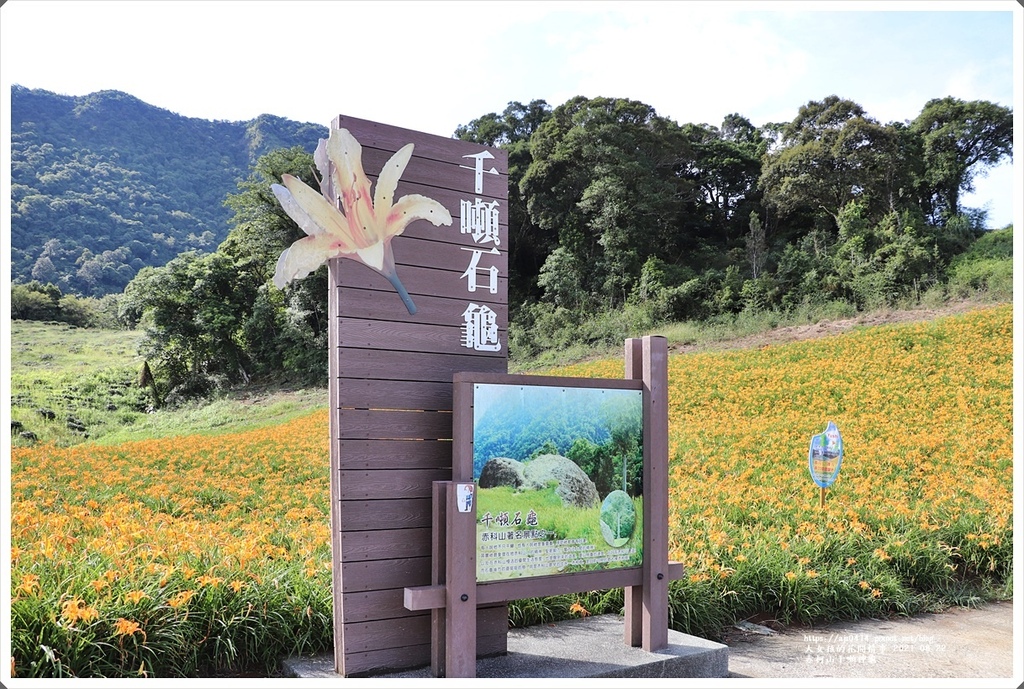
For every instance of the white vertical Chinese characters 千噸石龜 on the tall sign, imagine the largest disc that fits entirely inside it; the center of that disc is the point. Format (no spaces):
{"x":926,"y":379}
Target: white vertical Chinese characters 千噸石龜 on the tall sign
{"x":480,"y":221}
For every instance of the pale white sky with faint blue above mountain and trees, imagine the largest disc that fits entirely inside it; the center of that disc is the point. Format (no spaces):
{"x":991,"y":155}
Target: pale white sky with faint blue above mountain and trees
{"x":435,"y":66}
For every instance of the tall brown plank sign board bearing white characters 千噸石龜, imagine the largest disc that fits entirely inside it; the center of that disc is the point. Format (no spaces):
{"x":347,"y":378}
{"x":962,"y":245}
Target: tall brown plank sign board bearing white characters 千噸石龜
{"x":391,"y":390}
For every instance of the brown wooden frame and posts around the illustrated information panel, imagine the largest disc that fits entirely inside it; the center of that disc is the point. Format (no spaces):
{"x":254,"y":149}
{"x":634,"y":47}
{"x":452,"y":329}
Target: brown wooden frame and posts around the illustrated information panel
{"x":454,"y":570}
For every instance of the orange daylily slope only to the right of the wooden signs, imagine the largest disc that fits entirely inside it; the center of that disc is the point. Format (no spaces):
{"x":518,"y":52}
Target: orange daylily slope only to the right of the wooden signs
{"x":923,"y":508}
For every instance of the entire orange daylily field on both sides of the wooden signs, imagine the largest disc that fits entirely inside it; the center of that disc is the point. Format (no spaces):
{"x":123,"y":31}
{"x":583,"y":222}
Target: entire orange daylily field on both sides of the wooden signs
{"x":209,"y":554}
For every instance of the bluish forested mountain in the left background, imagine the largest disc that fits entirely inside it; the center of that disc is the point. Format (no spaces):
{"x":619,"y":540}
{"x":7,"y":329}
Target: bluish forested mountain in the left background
{"x":105,"y":185}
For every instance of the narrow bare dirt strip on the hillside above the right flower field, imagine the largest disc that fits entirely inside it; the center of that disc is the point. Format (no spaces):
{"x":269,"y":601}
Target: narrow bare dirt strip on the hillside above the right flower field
{"x":828,"y":328}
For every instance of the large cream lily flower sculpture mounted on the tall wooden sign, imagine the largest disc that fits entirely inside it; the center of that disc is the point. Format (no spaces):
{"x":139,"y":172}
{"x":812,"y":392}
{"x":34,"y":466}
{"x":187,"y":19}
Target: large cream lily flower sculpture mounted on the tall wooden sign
{"x":363,"y":230}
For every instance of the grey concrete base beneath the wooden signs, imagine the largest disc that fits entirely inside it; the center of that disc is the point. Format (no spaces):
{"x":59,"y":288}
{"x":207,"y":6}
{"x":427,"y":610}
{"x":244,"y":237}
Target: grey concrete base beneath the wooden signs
{"x":575,"y":649}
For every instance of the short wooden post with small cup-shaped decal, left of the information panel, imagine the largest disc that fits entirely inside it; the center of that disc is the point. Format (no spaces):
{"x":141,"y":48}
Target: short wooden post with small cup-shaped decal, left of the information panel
{"x":460,"y":642}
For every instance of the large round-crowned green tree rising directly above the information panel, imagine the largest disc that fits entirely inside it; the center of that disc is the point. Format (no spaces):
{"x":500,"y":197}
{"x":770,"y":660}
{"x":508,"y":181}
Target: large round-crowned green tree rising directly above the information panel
{"x":604,"y":183}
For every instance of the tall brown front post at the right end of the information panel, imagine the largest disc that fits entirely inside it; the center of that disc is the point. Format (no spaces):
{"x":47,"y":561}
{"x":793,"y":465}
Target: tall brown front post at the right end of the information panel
{"x":656,"y":501}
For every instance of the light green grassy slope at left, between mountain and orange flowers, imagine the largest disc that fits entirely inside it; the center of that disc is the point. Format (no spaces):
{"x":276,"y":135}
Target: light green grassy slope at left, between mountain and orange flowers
{"x":72,"y":385}
